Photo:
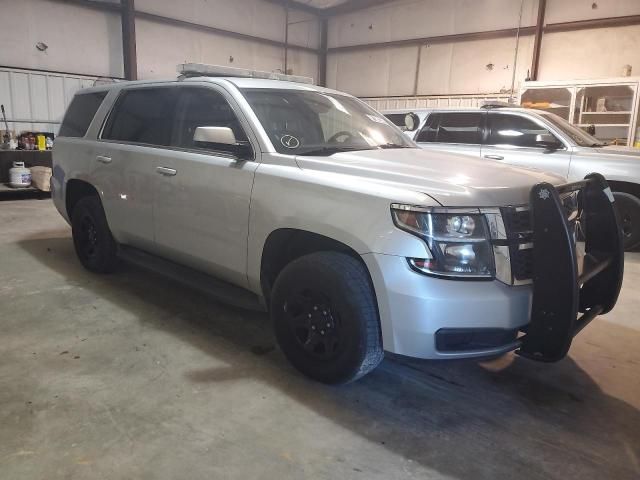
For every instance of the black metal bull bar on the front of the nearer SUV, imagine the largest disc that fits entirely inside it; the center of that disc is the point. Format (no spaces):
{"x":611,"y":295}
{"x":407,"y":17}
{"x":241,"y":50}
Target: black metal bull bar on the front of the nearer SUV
{"x":571,"y":288}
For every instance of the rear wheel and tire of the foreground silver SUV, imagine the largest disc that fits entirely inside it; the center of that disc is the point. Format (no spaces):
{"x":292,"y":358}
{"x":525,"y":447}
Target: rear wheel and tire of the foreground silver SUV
{"x":92,"y":238}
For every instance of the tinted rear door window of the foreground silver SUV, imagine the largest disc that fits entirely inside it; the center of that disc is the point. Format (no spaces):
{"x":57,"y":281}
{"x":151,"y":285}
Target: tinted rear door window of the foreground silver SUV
{"x":143,"y":116}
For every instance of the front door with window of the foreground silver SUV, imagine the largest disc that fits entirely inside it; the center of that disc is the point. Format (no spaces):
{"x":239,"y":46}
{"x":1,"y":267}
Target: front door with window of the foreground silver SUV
{"x":202,"y":192}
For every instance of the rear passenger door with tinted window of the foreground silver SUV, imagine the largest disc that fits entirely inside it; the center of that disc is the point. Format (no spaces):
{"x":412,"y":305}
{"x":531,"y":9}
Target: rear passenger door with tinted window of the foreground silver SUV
{"x":135,"y":137}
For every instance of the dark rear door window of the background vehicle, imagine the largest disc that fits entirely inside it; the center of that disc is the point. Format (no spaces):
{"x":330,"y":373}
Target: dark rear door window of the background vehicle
{"x":459,"y":127}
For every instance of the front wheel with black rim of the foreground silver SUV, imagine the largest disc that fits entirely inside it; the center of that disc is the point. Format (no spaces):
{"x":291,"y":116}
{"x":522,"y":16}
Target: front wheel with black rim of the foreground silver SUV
{"x":325,"y":317}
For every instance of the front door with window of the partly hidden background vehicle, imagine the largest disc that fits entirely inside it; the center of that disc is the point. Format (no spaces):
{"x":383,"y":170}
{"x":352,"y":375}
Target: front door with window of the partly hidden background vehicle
{"x":511,"y":138}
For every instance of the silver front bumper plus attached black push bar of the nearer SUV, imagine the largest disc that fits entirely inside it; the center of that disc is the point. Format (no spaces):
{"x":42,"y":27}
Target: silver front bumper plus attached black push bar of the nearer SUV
{"x":577,"y":274}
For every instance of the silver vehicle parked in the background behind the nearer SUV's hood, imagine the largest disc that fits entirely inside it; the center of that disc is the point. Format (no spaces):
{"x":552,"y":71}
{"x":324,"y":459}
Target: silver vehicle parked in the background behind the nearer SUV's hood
{"x":531,"y":138}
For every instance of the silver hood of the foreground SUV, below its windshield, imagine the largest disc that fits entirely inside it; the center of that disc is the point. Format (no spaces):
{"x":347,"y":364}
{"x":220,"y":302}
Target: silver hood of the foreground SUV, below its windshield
{"x":450,"y":179}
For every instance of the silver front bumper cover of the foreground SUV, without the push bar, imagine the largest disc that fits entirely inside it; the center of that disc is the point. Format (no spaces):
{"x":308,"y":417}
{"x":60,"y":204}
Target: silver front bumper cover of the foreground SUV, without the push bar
{"x":415,"y":307}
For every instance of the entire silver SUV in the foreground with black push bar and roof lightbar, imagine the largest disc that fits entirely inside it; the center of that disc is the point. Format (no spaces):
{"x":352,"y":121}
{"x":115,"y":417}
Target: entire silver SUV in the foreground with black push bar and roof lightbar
{"x":308,"y":203}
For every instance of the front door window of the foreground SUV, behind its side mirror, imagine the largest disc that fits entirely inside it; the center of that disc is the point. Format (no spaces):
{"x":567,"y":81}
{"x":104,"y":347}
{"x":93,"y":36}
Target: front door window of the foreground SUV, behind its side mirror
{"x":199,"y":107}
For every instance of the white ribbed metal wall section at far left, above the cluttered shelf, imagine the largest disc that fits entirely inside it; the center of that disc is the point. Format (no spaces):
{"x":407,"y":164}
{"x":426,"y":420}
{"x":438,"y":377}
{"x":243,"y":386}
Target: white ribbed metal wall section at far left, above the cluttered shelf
{"x":36,"y":101}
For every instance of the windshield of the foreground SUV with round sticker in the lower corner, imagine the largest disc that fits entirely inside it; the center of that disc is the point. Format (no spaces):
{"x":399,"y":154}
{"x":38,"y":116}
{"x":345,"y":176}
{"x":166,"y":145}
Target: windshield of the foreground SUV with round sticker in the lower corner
{"x":307,"y":122}
